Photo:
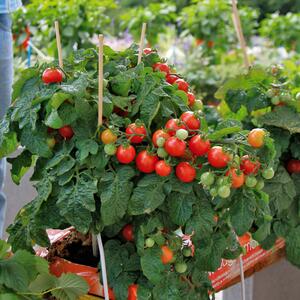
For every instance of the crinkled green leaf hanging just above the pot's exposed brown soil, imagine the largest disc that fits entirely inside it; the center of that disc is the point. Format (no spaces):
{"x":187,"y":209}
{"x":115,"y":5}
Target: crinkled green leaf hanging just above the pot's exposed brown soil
{"x":76,"y":202}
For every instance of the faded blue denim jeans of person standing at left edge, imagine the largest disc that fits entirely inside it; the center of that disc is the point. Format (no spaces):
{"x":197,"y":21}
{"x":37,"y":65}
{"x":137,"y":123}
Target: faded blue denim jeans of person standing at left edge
{"x":6,"y":77}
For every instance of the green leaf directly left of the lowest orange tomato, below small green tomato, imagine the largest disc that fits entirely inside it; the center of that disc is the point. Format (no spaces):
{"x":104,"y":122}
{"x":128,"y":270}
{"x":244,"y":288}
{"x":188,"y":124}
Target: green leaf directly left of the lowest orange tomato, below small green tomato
{"x":152,"y":266}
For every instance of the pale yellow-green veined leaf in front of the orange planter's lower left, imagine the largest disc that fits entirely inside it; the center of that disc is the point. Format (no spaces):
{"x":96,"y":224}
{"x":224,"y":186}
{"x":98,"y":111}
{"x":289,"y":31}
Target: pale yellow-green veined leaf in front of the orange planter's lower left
{"x":69,"y":287}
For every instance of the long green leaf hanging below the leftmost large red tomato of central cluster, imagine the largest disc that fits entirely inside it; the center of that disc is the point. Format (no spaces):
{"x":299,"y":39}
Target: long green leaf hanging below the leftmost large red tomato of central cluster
{"x":115,"y":193}
